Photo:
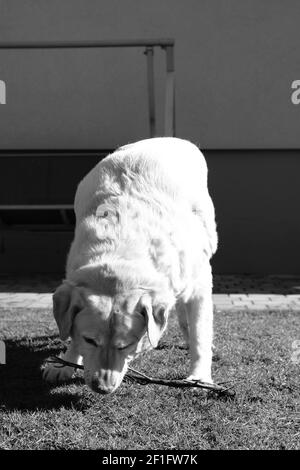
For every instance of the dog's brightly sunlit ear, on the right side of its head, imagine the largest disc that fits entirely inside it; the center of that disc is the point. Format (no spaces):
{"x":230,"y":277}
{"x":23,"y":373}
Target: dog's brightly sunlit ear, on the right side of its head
{"x":156,"y":319}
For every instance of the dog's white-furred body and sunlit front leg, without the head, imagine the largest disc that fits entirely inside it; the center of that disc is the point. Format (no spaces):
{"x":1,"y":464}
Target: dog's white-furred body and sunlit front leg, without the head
{"x":144,"y":213}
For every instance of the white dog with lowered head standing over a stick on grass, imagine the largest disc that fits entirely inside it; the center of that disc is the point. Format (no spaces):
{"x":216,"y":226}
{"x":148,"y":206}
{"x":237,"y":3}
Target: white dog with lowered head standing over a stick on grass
{"x":145,"y":233}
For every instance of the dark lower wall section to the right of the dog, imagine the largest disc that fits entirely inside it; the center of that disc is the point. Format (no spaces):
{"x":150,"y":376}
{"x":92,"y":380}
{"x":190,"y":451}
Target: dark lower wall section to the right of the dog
{"x":256,"y":195}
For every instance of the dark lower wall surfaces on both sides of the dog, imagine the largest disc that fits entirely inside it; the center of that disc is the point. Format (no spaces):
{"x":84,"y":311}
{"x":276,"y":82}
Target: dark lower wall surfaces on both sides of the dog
{"x":256,"y":195}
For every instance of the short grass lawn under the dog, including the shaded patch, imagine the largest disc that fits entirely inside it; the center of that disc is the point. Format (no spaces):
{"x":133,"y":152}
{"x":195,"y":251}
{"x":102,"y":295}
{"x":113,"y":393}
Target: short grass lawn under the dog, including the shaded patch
{"x":254,"y":347}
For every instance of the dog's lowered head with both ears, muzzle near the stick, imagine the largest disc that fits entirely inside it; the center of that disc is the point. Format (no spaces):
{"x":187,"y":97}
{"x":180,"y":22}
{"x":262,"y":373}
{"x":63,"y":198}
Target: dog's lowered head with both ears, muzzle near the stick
{"x":109,"y":329}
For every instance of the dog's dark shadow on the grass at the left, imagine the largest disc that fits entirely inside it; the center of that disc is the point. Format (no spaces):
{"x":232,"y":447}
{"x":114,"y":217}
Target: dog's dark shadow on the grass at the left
{"x":21,"y":383}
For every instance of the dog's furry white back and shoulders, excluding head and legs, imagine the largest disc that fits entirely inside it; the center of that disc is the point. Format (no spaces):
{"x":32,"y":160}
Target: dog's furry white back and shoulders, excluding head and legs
{"x":160,"y":187}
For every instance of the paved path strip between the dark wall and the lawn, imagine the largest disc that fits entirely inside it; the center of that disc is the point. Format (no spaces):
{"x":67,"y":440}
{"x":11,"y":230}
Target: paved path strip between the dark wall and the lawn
{"x":230,"y":292}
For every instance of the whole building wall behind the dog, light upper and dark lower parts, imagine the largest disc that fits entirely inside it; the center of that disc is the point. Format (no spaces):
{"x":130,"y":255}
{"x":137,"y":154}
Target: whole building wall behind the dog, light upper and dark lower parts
{"x":235,"y":65}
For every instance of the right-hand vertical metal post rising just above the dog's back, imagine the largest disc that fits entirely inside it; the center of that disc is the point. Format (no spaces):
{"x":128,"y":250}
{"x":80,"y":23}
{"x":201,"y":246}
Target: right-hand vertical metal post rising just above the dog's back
{"x":170,"y":92}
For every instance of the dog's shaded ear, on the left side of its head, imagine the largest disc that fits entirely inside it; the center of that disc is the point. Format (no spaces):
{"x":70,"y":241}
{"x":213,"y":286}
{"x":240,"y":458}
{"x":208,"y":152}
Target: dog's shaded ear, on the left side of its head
{"x":66,"y":303}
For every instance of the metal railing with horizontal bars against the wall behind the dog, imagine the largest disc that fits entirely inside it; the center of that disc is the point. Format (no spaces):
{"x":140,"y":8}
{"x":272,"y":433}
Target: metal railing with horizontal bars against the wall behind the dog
{"x":149,"y":45}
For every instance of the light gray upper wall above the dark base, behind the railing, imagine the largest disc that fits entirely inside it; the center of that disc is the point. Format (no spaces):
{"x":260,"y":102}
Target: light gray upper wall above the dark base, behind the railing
{"x":235,"y":63}
